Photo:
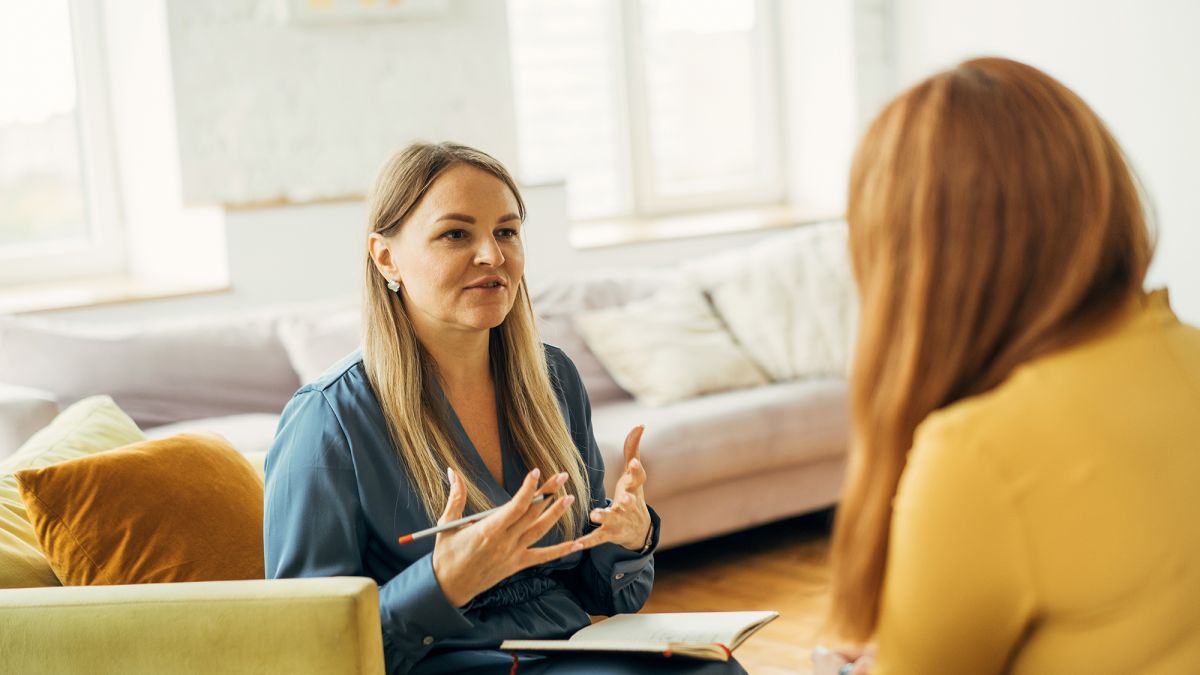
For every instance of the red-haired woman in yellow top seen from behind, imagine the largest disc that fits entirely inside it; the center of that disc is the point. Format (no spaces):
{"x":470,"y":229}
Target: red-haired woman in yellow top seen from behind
{"x":1023,"y":493}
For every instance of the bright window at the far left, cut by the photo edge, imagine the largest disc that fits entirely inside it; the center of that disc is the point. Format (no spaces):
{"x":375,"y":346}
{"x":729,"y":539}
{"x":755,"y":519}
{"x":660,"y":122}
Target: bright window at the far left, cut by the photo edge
{"x":58,"y":213}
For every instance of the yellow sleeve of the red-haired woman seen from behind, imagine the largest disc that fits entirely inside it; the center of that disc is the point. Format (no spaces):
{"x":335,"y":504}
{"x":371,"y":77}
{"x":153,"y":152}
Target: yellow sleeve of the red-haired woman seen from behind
{"x":958,"y":592}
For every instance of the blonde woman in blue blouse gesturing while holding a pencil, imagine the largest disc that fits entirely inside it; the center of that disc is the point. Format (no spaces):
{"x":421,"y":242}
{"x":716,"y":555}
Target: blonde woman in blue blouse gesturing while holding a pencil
{"x":454,"y":405}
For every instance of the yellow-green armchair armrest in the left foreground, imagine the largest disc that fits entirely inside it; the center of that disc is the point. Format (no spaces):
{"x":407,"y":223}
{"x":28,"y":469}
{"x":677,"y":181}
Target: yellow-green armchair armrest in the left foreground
{"x":319,"y":626}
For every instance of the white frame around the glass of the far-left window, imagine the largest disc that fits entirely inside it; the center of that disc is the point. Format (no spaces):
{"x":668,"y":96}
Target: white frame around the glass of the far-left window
{"x":103,"y":250}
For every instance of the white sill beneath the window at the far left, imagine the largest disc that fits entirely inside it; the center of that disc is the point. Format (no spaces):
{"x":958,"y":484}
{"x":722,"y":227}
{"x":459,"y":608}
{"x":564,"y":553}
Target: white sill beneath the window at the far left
{"x":92,"y":292}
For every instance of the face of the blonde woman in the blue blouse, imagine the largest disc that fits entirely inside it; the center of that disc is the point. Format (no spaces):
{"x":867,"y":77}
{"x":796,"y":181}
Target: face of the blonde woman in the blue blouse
{"x":459,"y":258}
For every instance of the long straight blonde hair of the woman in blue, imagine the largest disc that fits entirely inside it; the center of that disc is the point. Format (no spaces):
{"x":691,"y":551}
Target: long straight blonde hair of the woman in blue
{"x":405,"y":377}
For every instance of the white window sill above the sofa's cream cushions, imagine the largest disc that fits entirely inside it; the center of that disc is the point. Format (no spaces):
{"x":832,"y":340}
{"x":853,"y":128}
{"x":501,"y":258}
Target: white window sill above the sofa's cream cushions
{"x":623,"y":232}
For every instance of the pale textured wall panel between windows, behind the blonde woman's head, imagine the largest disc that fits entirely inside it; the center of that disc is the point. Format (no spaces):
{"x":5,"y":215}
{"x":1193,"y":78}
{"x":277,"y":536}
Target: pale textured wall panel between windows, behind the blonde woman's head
{"x":272,"y":110}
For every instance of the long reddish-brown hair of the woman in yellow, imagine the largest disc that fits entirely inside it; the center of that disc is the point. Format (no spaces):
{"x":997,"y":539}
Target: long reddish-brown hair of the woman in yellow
{"x":993,"y":219}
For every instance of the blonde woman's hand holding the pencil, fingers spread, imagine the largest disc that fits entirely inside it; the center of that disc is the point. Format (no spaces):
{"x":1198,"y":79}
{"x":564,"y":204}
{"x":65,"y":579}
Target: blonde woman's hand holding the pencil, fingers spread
{"x":472,"y":559}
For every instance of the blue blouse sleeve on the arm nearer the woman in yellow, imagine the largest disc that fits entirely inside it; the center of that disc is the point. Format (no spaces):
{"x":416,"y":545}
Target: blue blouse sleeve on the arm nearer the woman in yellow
{"x":610,"y":580}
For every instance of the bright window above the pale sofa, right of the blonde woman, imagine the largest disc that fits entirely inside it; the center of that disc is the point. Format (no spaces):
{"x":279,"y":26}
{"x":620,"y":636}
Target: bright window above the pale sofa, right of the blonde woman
{"x":649,"y":107}
